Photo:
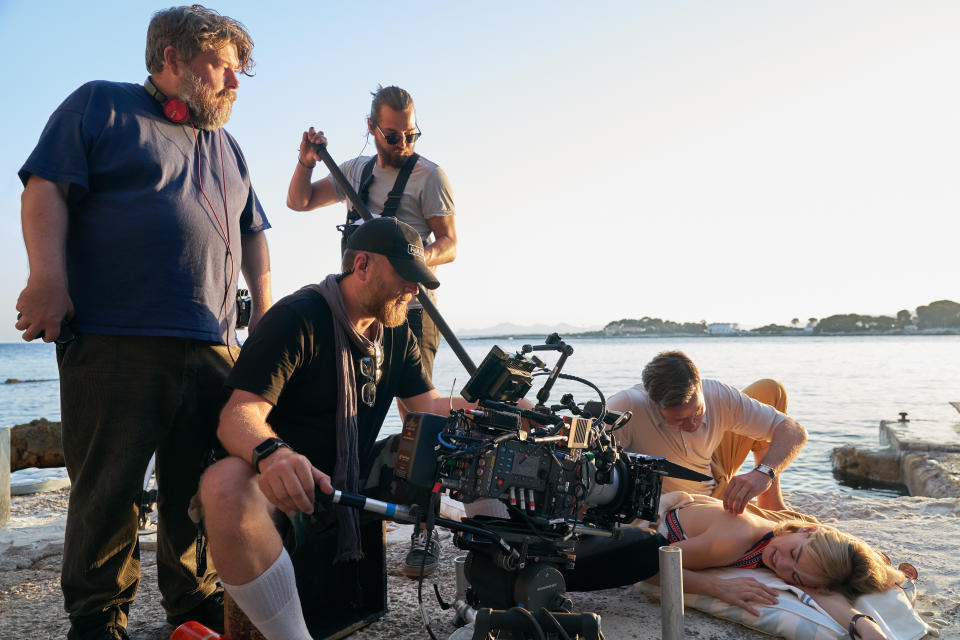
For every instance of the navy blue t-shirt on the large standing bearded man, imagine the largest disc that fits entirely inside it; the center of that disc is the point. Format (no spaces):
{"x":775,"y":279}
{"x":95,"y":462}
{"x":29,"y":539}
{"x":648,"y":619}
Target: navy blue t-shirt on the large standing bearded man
{"x":153,"y":206}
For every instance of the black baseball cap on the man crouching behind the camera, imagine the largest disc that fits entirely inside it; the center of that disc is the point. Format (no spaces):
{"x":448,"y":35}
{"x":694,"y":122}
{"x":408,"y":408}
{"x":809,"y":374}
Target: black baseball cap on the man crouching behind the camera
{"x":399,"y":243}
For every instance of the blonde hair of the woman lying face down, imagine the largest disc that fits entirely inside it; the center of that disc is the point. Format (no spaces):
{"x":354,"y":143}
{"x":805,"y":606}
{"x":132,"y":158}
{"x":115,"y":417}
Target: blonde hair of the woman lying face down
{"x":849,"y":565}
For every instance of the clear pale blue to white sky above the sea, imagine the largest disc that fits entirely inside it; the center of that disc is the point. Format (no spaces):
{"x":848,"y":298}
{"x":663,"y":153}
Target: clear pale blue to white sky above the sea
{"x":742,"y":162}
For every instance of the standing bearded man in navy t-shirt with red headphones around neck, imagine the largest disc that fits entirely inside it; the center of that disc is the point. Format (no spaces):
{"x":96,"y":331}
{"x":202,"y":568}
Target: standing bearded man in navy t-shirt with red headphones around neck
{"x":138,"y":218}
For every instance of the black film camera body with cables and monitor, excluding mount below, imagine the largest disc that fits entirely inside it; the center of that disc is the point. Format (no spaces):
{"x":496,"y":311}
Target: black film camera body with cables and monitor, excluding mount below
{"x":563,"y":472}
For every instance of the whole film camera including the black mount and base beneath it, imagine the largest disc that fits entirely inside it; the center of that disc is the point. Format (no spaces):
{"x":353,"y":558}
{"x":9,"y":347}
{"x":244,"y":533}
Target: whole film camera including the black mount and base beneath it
{"x":549,"y":479}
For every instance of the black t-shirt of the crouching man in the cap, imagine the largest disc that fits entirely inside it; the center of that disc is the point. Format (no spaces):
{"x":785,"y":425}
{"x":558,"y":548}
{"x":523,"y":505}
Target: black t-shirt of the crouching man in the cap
{"x":289,"y":361}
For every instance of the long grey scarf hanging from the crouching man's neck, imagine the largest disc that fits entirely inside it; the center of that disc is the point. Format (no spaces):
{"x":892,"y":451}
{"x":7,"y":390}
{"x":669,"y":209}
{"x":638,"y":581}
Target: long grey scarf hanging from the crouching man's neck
{"x":346,"y":474}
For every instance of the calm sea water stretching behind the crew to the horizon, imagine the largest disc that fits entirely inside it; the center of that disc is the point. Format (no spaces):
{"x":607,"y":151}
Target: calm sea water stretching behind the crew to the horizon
{"x":839,"y":387}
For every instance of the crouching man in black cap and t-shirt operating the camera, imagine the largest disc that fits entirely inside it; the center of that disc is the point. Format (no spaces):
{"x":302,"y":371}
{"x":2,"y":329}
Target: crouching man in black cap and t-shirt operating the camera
{"x":311,"y":387}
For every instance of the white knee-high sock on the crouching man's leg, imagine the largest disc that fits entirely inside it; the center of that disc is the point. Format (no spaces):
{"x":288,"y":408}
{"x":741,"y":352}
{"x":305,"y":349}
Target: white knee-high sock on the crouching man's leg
{"x":271,"y":602}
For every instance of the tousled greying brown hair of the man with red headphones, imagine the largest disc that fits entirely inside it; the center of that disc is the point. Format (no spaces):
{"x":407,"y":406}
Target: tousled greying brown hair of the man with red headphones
{"x":193,"y":29}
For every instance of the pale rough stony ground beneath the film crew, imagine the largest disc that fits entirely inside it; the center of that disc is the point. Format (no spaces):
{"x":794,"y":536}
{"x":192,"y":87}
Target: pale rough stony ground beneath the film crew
{"x":923,"y":531}
